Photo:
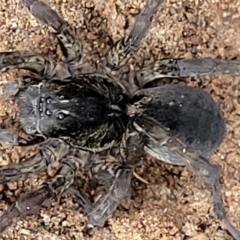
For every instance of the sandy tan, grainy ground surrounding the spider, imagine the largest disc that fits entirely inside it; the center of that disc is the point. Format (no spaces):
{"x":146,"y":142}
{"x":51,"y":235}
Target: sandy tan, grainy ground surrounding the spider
{"x":175,"y":204}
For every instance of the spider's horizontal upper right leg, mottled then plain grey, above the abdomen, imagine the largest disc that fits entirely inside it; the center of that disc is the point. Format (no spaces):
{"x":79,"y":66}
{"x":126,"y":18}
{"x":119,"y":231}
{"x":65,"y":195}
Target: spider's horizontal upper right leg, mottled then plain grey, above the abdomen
{"x":177,"y":68}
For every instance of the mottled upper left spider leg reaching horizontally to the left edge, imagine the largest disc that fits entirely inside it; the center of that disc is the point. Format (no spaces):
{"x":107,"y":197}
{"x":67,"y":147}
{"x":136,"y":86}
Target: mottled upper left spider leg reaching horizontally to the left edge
{"x":33,"y":62}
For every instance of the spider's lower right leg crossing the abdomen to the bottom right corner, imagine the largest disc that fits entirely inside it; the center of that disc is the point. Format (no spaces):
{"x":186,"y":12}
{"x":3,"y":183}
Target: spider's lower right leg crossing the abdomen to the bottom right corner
{"x":209,"y":173}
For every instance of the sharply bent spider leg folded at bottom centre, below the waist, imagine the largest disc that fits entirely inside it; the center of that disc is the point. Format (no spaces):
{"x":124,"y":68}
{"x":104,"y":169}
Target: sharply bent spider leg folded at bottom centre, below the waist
{"x":118,"y":174}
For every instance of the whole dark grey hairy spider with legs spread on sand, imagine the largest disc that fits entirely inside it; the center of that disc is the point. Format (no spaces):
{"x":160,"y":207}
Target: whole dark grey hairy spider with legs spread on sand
{"x":79,"y":119}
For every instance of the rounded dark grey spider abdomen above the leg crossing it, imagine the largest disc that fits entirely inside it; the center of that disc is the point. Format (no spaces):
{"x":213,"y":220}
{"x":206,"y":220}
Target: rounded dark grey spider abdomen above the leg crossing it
{"x":190,"y":113}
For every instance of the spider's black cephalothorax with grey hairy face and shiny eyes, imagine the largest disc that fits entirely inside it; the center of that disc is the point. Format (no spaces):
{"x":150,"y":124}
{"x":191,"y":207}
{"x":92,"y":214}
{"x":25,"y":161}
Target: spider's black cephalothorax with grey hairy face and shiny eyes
{"x":74,"y":108}
